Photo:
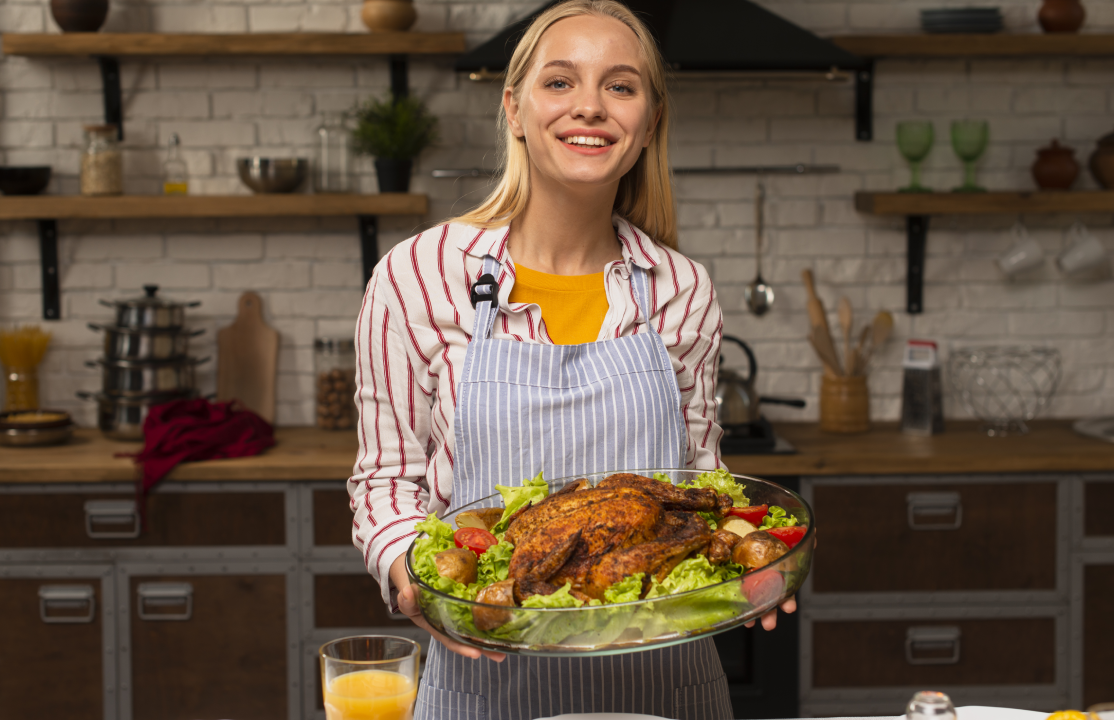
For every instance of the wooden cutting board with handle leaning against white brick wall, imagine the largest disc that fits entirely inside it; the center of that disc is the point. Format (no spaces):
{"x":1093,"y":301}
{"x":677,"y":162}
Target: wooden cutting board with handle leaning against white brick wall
{"x":248,"y":359}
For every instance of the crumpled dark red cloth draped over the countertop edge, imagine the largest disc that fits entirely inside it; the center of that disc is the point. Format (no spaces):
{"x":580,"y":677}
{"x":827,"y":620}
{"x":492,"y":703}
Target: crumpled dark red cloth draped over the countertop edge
{"x":187,"y":431}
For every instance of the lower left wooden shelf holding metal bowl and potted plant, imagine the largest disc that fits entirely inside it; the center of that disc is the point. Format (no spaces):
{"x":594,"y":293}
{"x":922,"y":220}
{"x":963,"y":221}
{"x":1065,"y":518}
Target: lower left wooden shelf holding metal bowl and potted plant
{"x":279,"y":206}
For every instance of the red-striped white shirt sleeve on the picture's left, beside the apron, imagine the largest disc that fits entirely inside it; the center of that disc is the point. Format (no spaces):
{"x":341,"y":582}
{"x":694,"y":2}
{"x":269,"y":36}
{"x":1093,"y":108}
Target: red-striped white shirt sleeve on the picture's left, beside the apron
{"x":388,"y":490}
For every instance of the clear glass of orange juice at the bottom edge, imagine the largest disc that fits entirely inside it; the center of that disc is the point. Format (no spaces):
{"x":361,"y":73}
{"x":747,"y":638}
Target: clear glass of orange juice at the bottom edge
{"x":370,"y":678}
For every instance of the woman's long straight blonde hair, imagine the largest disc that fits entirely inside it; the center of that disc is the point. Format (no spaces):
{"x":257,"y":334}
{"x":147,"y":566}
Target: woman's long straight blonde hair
{"x":646,"y":193}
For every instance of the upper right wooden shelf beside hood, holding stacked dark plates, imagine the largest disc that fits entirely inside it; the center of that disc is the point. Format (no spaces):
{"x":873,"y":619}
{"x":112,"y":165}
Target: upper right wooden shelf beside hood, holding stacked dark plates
{"x":961,"y":46}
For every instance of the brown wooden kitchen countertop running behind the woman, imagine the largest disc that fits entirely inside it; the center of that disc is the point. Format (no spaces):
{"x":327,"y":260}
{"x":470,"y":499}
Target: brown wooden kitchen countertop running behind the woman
{"x":308,"y":454}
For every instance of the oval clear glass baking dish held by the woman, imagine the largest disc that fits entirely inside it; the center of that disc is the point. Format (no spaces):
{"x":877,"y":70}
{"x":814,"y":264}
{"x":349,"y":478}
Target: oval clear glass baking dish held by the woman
{"x":621,"y":628}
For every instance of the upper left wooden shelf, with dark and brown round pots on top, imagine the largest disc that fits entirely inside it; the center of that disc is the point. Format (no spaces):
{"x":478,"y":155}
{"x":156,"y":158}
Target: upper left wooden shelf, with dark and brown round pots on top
{"x":298,"y":44}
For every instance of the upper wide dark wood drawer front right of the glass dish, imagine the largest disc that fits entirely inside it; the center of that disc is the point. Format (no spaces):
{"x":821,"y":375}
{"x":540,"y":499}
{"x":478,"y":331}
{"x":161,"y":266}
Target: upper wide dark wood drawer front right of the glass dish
{"x":935,"y":538}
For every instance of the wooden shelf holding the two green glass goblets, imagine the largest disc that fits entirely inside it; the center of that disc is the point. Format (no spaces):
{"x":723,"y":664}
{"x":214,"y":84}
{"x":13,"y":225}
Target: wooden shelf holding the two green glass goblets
{"x":985,"y":203}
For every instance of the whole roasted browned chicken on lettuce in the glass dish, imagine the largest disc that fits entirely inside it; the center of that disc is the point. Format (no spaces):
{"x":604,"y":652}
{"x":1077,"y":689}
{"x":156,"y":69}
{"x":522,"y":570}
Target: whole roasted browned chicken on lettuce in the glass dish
{"x":593,"y":538}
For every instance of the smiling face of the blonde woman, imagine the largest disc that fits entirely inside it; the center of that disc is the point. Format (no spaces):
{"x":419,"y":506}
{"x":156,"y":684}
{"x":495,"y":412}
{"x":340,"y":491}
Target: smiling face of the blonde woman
{"x":584,"y":108}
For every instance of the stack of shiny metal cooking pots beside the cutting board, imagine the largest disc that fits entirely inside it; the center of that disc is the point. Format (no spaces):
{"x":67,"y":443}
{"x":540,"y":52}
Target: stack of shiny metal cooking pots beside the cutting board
{"x":146,"y":362}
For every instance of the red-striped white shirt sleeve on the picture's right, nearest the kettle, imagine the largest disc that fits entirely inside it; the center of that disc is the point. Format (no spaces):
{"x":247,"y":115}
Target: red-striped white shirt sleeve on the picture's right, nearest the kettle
{"x":692,"y":328}
